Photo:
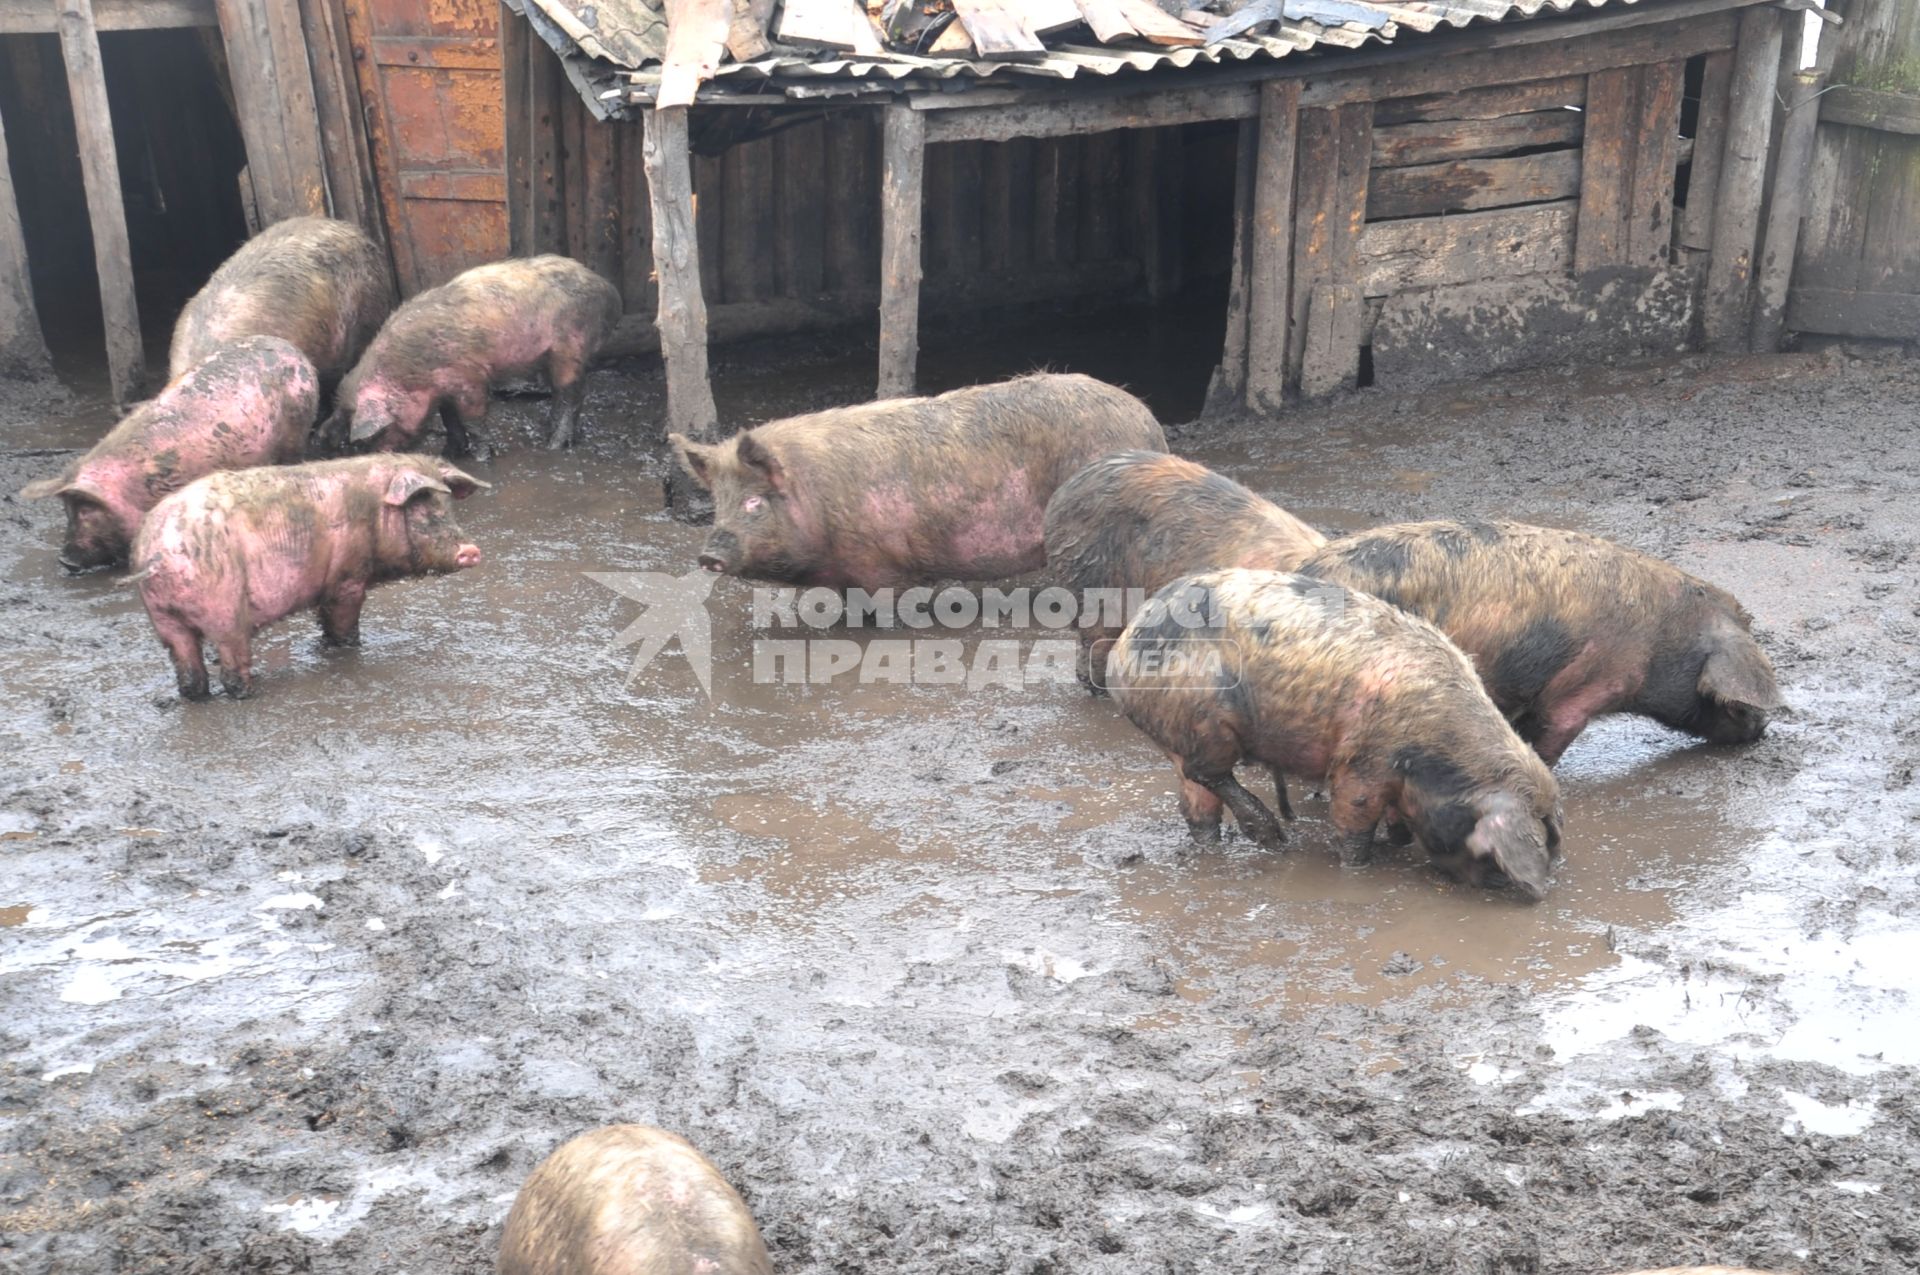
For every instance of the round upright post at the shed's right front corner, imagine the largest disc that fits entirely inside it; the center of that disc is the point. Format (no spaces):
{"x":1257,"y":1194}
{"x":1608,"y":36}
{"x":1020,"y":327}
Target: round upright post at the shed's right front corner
{"x":1737,"y":218}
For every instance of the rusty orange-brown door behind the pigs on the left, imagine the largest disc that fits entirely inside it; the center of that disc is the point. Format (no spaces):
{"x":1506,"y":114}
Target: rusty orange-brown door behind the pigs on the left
{"x":431,"y":82}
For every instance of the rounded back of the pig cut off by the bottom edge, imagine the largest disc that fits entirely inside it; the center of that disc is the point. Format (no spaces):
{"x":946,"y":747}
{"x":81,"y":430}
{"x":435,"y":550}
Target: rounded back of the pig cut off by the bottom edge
{"x":629,"y":1201}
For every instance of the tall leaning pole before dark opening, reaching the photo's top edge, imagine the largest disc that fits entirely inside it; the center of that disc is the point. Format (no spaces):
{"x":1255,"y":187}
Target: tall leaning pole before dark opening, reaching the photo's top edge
{"x":87,"y":85}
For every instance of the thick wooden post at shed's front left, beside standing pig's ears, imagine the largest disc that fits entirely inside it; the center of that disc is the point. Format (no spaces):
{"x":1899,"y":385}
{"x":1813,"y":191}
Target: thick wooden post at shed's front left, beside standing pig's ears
{"x":677,"y":260}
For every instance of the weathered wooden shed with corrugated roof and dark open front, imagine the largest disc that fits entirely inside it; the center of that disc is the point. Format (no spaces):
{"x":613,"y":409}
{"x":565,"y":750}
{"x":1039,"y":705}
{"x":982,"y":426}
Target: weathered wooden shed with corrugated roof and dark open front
{"x":1406,"y":189}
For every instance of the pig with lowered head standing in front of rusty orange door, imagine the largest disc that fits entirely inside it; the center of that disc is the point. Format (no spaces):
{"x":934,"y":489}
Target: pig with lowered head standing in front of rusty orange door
{"x":450,"y":345}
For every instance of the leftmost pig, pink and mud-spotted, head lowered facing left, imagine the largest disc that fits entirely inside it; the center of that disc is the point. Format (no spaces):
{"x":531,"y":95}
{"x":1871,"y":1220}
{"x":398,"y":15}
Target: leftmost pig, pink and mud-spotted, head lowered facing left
{"x":251,"y":402}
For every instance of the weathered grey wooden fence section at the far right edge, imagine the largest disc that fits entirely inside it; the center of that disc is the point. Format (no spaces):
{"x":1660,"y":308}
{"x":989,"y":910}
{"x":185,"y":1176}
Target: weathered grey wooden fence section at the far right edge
{"x":1858,"y":272}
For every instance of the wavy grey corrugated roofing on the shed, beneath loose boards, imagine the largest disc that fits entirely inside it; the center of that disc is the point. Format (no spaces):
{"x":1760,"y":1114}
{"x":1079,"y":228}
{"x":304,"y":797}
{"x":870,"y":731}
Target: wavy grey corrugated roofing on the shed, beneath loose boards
{"x":615,"y":47}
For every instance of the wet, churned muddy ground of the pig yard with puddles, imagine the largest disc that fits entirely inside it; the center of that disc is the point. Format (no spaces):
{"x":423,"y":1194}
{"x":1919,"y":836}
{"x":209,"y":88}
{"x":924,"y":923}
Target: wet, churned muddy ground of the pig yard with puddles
{"x":312,"y":982}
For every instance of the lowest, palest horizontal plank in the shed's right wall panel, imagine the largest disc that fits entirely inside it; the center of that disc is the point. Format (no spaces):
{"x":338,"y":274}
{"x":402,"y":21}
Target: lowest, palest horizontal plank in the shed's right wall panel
{"x":1426,"y":253}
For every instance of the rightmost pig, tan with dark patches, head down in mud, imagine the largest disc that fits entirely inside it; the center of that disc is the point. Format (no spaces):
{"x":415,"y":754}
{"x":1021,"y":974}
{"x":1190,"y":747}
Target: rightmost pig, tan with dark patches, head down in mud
{"x":1568,"y":629}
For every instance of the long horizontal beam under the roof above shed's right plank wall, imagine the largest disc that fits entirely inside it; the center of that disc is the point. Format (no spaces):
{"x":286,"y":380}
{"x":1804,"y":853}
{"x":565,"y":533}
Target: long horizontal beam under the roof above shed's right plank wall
{"x":1529,"y":53}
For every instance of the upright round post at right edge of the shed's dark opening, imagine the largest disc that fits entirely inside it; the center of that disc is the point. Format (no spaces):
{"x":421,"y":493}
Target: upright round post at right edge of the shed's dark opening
{"x":1272,"y":247}
